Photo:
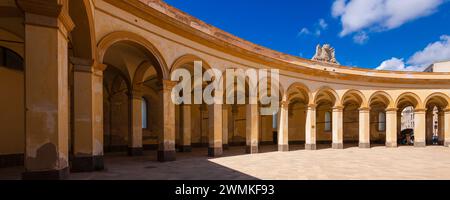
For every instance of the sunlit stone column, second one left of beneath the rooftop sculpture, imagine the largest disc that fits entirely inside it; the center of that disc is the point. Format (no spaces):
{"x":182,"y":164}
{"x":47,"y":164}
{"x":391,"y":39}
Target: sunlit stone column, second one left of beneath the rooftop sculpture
{"x":283,"y":131}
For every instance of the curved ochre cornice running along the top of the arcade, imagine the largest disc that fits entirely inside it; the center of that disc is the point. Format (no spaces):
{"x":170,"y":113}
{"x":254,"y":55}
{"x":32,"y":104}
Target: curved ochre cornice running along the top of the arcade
{"x":185,"y":25}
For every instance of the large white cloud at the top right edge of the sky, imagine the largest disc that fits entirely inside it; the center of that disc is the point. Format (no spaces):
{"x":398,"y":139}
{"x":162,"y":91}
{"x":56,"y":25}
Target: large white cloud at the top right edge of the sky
{"x":358,"y":15}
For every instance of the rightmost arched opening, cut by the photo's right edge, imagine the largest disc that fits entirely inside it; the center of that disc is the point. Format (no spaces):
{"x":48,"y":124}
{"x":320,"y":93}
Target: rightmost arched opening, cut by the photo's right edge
{"x":435,"y":116}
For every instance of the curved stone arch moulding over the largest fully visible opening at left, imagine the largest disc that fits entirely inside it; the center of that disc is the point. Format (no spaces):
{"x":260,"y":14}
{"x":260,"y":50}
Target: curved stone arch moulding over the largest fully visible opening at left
{"x":123,"y":36}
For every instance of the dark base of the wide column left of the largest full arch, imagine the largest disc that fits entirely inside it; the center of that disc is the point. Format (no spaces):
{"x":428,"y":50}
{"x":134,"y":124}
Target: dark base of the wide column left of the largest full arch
{"x":87,"y":164}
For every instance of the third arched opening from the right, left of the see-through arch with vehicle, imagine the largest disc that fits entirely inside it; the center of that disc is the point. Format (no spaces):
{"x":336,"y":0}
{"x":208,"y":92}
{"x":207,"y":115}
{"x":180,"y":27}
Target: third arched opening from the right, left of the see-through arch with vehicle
{"x":378,"y":104}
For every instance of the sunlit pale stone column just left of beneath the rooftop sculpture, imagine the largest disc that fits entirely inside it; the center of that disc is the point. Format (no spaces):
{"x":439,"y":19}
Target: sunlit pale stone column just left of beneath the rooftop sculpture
{"x":310,"y":129}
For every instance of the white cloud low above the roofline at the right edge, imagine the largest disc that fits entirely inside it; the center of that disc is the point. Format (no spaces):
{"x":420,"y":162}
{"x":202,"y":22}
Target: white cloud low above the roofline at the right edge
{"x":434,"y":52}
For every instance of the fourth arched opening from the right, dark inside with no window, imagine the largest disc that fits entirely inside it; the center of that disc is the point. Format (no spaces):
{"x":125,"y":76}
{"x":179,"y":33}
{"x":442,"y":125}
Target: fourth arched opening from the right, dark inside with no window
{"x":352,"y":102}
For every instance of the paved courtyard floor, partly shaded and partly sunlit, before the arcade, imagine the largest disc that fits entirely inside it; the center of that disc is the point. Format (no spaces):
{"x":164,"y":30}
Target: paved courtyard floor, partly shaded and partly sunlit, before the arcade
{"x":349,"y":164}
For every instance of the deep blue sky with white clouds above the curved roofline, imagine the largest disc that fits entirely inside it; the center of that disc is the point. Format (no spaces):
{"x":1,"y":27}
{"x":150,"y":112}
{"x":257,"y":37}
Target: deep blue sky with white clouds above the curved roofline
{"x":389,"y":34}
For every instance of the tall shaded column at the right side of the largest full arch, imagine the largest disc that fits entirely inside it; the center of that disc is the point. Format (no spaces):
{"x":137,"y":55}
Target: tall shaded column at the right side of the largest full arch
{"x":166,"y":147}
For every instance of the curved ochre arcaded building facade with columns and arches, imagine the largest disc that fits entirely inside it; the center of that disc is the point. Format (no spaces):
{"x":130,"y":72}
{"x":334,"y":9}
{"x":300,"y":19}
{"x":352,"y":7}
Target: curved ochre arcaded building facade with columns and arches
{"x":83,"y":77}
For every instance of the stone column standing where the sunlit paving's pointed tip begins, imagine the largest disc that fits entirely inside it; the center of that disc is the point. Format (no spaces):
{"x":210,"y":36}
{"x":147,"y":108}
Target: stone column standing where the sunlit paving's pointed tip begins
{"x":215,"y":125}
